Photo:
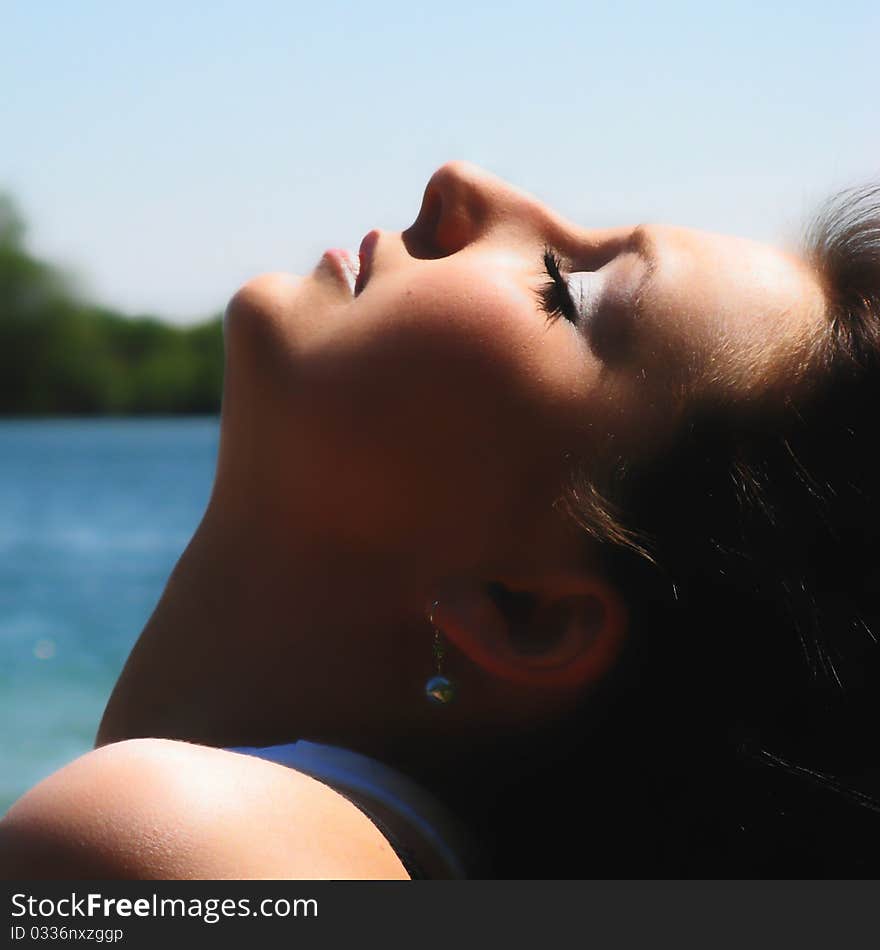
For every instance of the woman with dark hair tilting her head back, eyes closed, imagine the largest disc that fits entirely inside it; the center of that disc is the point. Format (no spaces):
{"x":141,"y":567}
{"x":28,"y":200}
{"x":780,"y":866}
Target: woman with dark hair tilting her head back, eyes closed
{"x":566,"y":533}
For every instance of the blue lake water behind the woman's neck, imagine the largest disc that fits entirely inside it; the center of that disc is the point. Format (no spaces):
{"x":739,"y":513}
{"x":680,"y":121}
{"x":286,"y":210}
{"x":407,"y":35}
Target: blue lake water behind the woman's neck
{"x":93,"y":516}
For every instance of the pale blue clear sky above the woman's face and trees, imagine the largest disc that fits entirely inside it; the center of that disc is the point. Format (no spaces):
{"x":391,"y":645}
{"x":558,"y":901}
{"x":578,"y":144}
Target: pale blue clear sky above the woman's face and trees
{"x":166,"y":151}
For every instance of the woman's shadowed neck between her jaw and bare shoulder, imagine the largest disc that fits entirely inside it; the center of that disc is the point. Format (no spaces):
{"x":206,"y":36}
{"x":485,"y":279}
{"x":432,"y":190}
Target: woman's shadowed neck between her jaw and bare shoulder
{"x":264,"y":636}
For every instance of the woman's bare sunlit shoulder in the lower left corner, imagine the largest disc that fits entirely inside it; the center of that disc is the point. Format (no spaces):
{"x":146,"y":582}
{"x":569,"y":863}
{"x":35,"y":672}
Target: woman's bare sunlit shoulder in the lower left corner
{"x":161,"y":809}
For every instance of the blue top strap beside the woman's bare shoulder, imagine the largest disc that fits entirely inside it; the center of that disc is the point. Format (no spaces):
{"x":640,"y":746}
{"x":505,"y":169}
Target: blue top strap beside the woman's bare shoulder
{"x":429,"y":841}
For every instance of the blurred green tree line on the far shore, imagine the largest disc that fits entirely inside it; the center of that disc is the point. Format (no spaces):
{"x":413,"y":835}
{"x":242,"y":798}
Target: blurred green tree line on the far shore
{"x":60,"y":356}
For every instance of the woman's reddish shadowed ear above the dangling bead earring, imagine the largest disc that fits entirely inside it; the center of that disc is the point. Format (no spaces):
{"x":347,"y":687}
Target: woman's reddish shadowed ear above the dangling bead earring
{"x":560,"y":632}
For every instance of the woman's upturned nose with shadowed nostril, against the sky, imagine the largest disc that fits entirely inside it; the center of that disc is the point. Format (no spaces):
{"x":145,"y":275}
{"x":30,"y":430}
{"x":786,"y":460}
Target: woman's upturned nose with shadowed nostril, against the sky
{"x":461,"y":202}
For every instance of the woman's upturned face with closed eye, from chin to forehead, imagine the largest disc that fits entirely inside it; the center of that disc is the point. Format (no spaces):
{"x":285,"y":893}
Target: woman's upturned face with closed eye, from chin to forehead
{"x":438,"y":407}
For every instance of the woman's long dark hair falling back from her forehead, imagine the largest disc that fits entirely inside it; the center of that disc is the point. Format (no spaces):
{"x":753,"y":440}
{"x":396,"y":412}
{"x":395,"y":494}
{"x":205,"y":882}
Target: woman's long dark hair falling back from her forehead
{"x":745,"y":713}
